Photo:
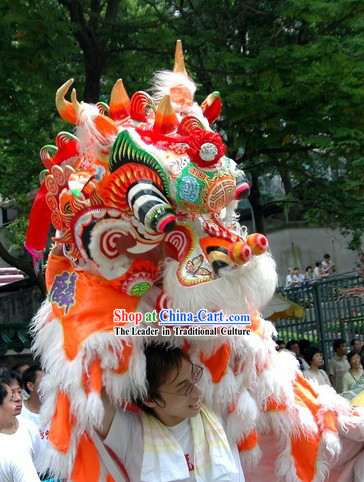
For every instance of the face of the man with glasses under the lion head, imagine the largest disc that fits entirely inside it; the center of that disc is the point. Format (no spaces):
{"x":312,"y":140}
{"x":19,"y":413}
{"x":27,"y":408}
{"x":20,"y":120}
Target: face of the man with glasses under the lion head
{"x":175,"y":406}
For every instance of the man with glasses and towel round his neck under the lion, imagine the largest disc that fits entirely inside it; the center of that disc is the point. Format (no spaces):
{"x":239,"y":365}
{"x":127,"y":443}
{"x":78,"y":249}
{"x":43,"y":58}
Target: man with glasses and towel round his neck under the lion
{"x":171,"y":419}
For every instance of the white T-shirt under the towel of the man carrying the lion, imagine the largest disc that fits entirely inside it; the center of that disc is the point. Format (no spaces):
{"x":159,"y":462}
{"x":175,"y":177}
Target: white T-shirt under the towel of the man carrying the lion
{"x":125,"y":438}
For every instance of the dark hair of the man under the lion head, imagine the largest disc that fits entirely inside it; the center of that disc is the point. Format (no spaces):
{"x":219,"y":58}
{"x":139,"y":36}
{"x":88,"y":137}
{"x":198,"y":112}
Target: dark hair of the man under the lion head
{"x":161,"y":359}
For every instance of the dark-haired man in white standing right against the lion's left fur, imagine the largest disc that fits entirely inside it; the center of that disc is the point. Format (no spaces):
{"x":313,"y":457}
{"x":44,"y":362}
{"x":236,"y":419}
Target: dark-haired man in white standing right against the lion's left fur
{"x":31,"y":407}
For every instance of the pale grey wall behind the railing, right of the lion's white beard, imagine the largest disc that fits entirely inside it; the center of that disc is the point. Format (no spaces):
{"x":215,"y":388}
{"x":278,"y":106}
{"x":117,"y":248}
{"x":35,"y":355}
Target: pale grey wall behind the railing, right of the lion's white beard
{"x":303,"y":246}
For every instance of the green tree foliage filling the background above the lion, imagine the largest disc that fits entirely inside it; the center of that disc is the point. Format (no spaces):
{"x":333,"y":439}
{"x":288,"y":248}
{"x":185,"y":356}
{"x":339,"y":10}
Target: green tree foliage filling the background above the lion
{"x":290,"y":73}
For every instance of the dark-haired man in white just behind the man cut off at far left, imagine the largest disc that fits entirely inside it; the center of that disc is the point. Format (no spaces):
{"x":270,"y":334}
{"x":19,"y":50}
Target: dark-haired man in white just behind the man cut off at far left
{"x":23,"y":431}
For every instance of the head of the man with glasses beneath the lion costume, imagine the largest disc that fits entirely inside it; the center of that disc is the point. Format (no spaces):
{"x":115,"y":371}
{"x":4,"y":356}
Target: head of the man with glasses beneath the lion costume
{"x":173,"y":392}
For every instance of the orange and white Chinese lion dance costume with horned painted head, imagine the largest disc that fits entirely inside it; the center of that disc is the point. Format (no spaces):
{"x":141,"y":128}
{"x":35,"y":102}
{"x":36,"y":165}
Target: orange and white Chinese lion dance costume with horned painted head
{"x":142,"y":198}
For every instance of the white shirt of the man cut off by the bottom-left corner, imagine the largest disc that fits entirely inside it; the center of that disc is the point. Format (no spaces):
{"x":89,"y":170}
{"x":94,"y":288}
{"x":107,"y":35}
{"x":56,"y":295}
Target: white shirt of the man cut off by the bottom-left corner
{"x":16,"y":464}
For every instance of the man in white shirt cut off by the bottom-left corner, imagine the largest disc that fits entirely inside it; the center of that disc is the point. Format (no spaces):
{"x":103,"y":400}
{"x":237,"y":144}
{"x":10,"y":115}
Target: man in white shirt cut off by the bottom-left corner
{"x":16,"y":464}
